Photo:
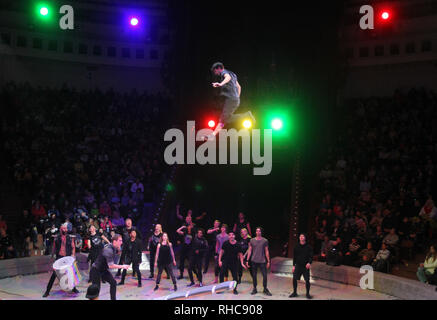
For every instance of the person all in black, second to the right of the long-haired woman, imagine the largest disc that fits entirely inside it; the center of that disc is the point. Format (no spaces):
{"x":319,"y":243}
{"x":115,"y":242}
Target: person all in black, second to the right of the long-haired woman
{"x":199,"y":247}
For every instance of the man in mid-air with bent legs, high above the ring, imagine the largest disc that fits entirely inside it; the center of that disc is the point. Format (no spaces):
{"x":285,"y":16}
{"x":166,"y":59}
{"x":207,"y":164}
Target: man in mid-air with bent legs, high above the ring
{"x":230,"y":91}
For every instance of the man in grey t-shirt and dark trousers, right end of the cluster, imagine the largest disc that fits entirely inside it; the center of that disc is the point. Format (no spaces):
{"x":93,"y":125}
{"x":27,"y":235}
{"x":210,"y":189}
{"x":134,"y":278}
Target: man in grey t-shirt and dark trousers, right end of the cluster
{"x":258,"y":255}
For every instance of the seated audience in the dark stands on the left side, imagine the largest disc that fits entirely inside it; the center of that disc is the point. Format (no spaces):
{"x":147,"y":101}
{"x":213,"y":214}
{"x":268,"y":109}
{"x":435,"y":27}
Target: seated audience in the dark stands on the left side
{"x":82,"y":157}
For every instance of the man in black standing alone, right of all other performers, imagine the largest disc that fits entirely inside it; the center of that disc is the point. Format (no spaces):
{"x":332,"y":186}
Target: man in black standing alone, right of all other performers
{"x":302,"y":259}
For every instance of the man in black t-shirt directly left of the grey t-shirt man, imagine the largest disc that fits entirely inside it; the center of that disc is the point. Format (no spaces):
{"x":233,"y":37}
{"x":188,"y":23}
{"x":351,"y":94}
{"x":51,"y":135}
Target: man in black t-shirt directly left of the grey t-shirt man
{"x":230,"y":258}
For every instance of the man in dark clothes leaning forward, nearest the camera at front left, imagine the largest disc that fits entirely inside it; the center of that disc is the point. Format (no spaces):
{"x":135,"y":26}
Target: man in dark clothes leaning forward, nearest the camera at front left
{"x":107,"y":260}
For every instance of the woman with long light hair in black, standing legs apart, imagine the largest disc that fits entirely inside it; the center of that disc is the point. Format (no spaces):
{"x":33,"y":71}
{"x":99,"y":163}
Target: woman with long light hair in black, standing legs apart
{"x":165,"y":260}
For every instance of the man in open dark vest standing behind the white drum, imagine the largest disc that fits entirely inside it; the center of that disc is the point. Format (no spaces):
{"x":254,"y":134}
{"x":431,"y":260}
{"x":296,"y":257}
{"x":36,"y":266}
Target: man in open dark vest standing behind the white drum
{"x":63,"y":246}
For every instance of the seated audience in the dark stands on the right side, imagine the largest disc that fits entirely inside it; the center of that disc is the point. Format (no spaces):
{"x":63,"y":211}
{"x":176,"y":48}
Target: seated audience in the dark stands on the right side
{"x":377,"y":206}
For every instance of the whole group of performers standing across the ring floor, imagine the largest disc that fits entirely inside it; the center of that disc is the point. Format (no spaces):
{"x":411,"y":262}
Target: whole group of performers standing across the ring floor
{"x":233,"y":252}
